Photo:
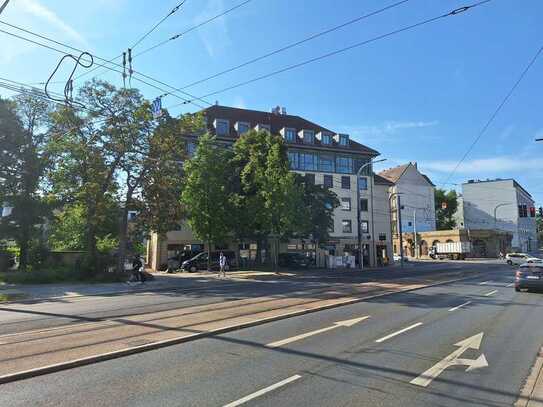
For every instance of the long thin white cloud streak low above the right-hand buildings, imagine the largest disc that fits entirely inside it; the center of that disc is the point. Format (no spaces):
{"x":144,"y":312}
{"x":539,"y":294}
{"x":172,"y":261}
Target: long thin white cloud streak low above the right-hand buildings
{"x":486,"y":165}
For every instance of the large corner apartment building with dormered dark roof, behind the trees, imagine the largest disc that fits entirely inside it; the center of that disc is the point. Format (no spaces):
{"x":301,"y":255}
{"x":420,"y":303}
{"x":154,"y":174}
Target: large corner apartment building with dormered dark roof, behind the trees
{"x":323,"y":157}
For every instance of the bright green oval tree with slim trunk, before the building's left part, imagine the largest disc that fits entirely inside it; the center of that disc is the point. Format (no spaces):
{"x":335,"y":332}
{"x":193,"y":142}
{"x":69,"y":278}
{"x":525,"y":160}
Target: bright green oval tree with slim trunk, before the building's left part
{"x":206,"y":194}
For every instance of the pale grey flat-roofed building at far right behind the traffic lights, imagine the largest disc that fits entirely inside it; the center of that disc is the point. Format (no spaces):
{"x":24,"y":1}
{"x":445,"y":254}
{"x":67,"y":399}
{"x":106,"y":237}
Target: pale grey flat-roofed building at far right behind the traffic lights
{"x":501,"y":204}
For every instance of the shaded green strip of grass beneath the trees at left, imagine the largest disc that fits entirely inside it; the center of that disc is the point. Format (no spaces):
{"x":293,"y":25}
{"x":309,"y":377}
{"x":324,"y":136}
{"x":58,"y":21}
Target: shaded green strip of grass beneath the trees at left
{"x":58,"y":275}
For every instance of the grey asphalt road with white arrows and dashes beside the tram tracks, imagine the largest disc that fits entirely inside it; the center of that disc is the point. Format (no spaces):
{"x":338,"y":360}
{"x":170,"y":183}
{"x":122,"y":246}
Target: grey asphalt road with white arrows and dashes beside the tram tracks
{"x":367,"y":353}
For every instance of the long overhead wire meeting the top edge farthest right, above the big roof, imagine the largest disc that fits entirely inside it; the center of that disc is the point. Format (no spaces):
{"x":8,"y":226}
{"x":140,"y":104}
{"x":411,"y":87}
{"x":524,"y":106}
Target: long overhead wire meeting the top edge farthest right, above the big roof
{"x":344,"y":49}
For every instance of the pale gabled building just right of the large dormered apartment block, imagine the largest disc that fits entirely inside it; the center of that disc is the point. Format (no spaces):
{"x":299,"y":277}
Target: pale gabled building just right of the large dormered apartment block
{"x":416,"y":192}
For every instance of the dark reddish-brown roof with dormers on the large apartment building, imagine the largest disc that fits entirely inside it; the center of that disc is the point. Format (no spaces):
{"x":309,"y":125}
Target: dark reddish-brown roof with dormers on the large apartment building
{"x":277,"y":121}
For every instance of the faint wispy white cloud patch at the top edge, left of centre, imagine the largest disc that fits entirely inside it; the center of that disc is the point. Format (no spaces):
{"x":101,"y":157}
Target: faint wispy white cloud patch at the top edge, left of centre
{"x":215,"y":36}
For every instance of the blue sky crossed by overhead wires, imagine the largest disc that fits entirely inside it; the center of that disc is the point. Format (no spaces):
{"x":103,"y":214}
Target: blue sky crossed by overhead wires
{"x":421,"y":95}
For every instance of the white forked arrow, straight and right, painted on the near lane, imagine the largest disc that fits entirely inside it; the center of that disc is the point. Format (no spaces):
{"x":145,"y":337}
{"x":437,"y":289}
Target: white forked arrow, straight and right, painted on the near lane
{"x":473,"y":342}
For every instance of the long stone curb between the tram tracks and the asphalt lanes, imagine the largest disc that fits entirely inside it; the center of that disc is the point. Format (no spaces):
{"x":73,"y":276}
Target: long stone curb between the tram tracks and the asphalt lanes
{"x":26,"y":374}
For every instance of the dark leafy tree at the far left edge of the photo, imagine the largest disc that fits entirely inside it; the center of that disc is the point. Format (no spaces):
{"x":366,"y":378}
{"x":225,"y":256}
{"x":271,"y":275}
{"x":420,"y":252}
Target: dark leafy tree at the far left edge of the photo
{"x":23,"y":162}
